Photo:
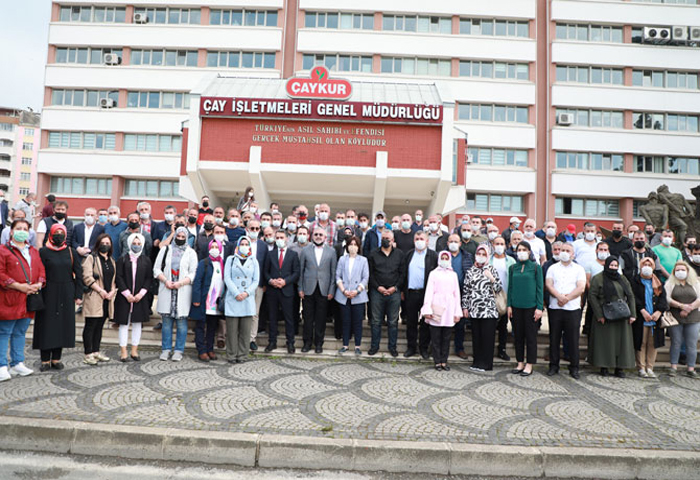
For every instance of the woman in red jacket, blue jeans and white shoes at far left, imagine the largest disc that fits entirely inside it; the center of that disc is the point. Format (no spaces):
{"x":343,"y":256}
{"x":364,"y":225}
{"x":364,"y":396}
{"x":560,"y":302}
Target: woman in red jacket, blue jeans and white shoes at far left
{"x":21,"y":273}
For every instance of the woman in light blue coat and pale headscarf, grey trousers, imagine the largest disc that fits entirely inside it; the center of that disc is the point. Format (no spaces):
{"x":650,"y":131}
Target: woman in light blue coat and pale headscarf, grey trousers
{"x":241,"y":275}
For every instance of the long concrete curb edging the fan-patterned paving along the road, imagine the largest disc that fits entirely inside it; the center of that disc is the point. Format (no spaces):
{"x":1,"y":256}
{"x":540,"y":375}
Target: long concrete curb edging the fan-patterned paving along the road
{"x":278,"y":451}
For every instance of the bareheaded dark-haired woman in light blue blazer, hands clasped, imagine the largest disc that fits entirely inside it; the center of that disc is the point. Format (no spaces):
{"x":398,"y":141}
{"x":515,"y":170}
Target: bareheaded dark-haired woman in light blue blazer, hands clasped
{"x":352,"y":277}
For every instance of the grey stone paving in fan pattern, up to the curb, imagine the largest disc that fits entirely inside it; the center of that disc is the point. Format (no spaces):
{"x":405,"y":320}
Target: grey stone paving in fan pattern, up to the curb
{"x":384,"y":400}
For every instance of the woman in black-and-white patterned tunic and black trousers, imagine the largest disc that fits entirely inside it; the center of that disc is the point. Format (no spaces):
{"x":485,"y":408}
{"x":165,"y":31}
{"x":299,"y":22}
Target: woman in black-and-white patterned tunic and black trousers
{"x":481,"y":284}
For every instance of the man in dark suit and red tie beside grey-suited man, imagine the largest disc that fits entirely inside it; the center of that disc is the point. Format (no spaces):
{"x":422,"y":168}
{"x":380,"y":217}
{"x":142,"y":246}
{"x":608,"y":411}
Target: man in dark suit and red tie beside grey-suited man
{"x":281,"y":272}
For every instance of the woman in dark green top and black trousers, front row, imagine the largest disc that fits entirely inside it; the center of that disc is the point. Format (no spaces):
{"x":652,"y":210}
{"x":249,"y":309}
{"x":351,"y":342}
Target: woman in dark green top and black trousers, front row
{"x":525,"y":304}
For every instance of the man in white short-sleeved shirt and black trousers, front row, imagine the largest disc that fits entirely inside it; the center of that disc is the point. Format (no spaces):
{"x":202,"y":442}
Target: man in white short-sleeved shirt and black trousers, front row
{"x":566,"y":282}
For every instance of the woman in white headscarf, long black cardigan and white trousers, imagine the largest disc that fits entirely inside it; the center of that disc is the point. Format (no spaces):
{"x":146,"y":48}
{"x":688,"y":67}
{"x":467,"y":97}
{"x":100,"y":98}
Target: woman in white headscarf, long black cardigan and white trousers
{"x":134,"y":278}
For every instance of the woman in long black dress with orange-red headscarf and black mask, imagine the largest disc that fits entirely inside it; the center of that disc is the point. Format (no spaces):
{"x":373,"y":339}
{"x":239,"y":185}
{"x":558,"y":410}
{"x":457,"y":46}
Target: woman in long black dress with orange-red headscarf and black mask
{"x":54,"y":326}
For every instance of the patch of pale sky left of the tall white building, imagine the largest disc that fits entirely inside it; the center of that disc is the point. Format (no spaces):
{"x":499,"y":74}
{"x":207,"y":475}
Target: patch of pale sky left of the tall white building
{"x":24,"y":27}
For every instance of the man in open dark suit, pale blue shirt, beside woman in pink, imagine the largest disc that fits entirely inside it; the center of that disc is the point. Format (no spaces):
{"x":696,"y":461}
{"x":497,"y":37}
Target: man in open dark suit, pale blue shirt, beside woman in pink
{"x":419,"y":263}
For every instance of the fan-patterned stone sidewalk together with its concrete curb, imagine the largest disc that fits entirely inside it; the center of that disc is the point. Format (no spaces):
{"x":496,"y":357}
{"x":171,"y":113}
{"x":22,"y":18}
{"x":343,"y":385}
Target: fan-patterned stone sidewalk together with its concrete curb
{"x":355,"y":414}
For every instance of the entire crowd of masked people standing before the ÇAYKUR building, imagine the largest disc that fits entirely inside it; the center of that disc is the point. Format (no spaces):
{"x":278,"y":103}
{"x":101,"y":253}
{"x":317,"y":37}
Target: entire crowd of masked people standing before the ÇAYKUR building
{"x":238,"y":273}
